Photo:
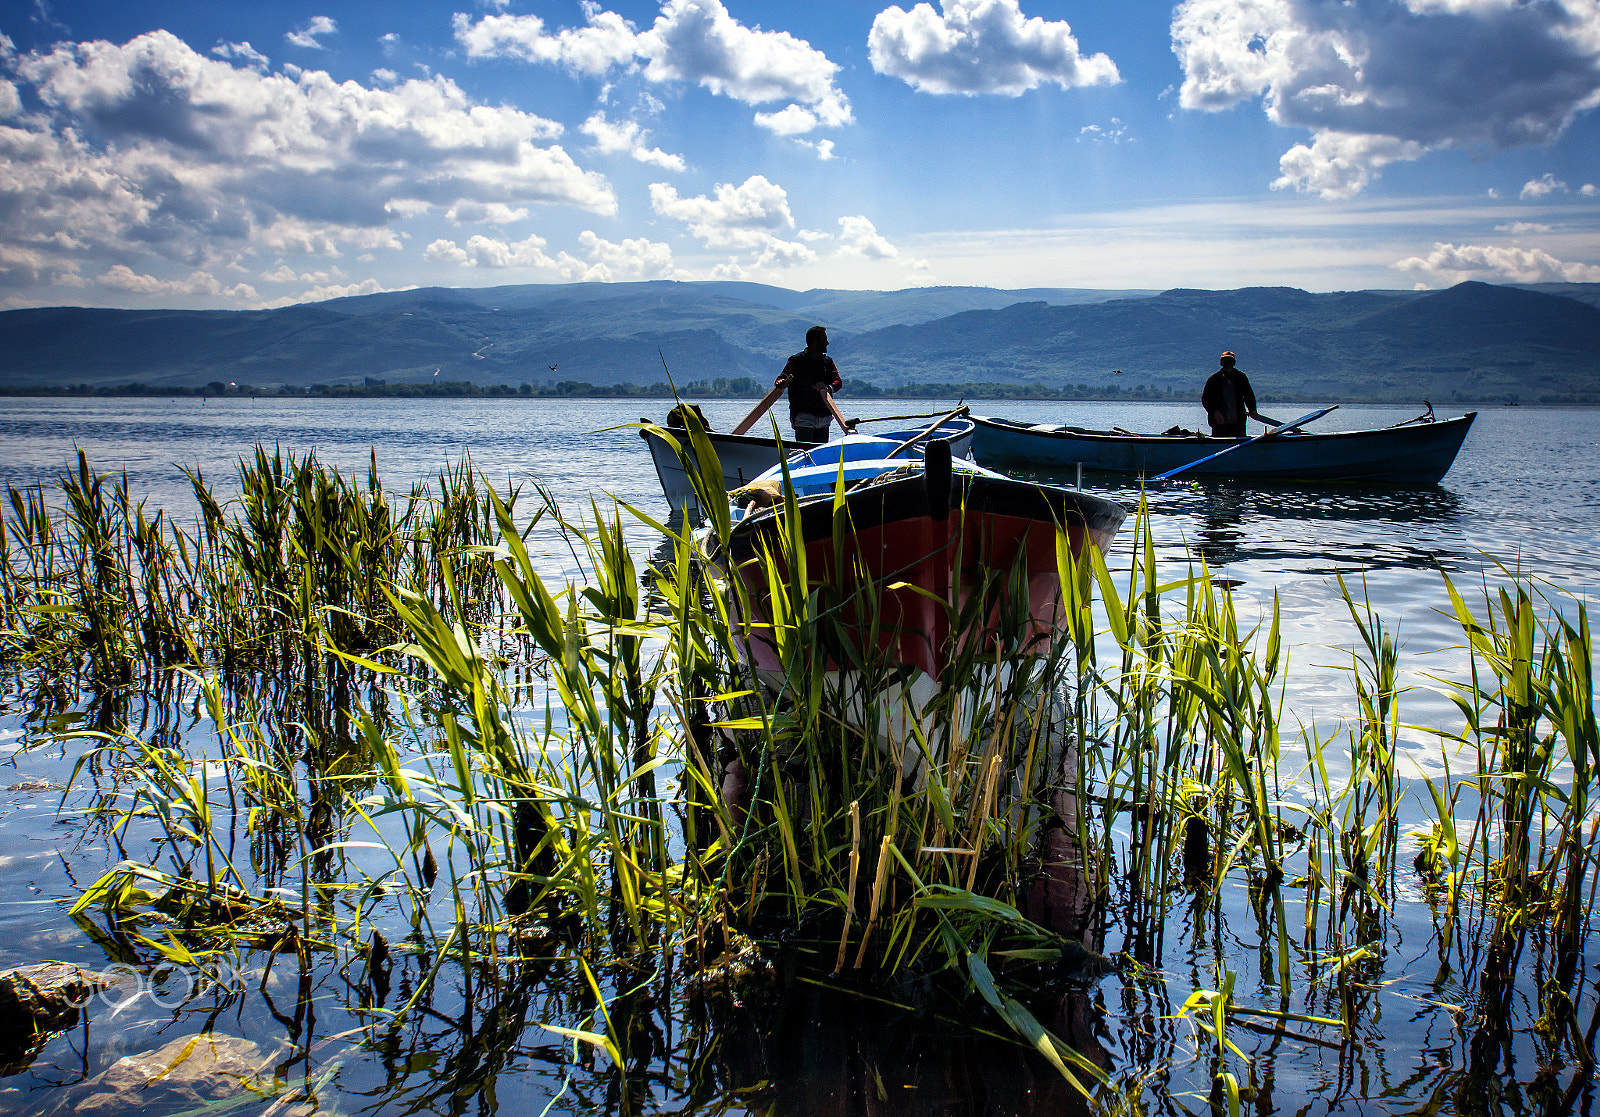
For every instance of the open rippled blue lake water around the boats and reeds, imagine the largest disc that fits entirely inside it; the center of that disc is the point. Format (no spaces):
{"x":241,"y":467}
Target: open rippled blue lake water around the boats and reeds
{"x":1524,"y":492}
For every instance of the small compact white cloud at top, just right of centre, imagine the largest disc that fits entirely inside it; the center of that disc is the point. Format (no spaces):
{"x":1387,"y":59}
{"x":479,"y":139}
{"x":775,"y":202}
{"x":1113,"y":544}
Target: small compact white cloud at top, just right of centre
{"x":982,"y":47}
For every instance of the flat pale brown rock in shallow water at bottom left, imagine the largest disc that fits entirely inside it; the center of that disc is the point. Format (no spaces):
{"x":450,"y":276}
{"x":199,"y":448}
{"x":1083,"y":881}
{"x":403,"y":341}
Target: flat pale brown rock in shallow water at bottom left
{"x":186,"y":1075}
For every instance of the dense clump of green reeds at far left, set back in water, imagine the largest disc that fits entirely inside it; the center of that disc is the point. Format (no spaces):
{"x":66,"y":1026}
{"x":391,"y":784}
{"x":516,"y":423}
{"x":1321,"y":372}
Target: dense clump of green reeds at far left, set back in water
{"x":298,"y":561}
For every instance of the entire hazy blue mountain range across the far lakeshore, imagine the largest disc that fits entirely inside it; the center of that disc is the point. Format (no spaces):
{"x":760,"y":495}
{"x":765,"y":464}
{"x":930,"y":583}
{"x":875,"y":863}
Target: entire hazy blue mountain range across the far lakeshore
{"x":1473,"y":342}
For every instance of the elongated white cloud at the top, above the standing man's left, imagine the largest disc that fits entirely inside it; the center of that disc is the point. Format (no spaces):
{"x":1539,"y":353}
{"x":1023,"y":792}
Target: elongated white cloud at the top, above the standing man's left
{"x":694,"y":42}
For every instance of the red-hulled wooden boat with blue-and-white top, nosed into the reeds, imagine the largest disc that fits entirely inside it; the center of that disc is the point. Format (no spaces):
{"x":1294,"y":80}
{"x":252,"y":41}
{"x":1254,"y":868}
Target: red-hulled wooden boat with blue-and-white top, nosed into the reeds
{"x":922,"y":534}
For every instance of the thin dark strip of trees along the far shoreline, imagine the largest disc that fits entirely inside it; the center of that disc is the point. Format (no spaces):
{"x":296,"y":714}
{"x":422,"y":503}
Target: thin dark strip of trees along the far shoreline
{"x":705,"y":390}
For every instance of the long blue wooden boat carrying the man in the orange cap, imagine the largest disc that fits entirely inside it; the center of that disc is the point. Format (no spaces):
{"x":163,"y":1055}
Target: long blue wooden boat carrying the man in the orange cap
{"x":1418,"y":452}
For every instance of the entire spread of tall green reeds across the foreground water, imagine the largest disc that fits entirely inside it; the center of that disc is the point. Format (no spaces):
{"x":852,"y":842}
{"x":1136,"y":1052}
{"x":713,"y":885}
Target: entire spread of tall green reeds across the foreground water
{"x":585,"y":775}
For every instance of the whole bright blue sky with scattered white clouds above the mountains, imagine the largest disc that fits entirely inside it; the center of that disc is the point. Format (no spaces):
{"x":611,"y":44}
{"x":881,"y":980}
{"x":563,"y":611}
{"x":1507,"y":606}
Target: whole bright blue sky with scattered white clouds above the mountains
{"x":241,"y":156}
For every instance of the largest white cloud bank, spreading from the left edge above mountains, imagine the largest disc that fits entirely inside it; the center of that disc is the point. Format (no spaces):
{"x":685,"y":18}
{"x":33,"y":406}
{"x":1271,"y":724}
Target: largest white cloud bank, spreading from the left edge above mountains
{"x":151,"y":151}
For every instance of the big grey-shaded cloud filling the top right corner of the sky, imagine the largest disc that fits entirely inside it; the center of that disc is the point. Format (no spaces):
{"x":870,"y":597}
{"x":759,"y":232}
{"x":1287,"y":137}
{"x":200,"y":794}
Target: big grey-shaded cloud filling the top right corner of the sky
{"x":1383,"y":81}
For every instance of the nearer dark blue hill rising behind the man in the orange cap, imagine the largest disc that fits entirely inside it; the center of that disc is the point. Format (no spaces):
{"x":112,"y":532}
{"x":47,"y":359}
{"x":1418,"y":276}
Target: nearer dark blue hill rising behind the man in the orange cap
{"x":1471,"y":342}
